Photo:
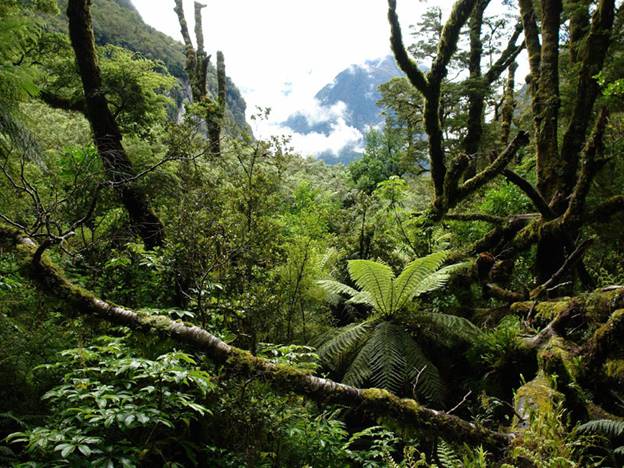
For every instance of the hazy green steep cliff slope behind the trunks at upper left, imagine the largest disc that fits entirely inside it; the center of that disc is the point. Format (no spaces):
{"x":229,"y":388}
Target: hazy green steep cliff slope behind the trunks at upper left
{"x":117,"y":22}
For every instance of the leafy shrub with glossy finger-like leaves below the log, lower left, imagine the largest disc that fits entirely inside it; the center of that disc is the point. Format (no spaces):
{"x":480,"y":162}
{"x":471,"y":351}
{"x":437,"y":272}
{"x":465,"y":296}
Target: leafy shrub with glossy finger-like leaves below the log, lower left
{"x":114,"y":408}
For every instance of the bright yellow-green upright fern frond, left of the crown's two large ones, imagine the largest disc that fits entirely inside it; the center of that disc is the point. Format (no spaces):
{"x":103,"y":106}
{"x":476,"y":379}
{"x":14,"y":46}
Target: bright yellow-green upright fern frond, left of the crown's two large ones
{"x":375,"y":278}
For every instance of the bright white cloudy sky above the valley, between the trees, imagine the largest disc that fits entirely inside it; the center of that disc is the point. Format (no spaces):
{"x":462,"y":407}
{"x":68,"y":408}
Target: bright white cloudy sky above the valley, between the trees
{"x":280,"y":53}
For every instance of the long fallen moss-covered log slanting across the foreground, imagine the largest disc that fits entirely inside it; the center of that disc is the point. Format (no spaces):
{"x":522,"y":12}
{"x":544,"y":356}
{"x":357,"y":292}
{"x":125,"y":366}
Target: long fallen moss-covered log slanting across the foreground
{"x":380,"y":403}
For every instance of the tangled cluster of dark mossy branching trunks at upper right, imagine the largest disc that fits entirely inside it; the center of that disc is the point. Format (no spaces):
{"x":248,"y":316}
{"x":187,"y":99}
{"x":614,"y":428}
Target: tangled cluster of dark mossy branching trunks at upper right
{"x":559,"y":152}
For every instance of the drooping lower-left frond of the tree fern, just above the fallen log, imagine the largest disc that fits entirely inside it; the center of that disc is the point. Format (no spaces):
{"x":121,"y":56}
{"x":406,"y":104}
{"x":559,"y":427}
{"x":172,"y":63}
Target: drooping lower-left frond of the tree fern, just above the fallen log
{"x":337,"y":350}
